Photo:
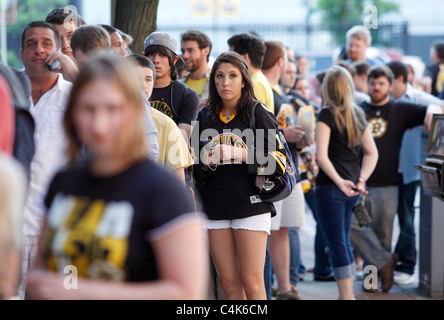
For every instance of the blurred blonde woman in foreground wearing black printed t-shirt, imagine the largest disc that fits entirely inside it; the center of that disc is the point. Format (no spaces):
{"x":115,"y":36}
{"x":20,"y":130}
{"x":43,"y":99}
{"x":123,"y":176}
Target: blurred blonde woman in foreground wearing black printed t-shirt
{"x":111,"y":219}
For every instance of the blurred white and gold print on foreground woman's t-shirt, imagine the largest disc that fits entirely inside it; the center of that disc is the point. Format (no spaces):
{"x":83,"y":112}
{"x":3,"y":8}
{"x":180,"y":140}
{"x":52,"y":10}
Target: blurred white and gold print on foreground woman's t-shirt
{"x":90,"y":234}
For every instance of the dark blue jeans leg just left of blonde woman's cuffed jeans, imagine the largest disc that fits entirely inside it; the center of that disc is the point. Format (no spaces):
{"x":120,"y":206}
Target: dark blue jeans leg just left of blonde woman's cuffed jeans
{"x":322,"y":267}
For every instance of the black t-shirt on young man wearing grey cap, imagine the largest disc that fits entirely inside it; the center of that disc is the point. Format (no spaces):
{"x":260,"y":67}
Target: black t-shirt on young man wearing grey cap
{"x":177,"y":101}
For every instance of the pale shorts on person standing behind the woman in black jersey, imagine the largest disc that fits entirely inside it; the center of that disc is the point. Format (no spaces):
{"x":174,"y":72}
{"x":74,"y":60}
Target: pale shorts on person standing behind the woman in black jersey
{"x":290,"y":211}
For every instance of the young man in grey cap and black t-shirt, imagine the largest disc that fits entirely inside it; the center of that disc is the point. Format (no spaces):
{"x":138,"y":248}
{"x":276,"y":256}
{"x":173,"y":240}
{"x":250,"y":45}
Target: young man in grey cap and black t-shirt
{"x":169,"y":96}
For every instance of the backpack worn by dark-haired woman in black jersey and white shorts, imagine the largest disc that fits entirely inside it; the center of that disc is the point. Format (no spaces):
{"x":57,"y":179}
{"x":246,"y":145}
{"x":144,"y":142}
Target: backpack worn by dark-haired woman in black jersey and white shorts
{"x":276,"y":188}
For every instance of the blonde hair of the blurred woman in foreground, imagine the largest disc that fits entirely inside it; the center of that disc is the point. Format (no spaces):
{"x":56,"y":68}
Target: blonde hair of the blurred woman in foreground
{"x":122,"y":71}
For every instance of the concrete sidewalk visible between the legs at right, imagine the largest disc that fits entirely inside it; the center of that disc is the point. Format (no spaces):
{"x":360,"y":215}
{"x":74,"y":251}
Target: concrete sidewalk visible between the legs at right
{"x":316,"y":290}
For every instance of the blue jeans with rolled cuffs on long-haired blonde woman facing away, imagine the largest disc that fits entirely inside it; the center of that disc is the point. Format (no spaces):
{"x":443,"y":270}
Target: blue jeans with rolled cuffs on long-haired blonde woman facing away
{"x":335,"y":214}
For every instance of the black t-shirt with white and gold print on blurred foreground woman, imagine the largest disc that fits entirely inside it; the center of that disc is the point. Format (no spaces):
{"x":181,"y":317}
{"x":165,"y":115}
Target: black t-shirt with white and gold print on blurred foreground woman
{"x":105,"y":226}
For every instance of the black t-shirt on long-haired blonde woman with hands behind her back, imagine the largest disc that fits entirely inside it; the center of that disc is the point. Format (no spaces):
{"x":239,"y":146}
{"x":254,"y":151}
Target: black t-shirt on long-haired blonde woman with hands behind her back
{"x":345,"y":160}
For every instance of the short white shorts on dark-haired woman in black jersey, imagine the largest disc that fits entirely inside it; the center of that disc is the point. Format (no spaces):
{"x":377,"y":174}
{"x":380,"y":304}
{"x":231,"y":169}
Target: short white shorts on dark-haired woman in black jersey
{"x":261,"y":222}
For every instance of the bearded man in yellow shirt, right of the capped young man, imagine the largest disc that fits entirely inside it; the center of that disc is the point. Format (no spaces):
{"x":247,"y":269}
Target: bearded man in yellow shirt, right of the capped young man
{"x":196,"y":48}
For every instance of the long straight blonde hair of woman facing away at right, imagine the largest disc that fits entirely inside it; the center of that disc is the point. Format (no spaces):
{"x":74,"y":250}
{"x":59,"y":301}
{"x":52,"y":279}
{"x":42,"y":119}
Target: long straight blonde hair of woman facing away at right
{"x":338,"y":93}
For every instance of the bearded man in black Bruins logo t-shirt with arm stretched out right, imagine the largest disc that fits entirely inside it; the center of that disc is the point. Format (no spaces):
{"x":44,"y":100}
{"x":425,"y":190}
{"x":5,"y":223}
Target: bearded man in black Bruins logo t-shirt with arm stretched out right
{"x":388,"y":120}
